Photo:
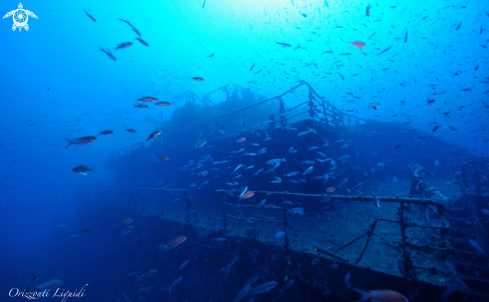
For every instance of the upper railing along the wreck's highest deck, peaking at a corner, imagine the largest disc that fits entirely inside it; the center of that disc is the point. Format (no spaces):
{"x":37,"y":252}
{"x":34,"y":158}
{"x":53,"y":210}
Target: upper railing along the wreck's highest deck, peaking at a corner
{"x":318,"y":108}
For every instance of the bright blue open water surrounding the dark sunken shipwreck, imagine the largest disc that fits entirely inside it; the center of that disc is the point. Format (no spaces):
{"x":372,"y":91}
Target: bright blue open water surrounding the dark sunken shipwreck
{"x":56,"y":85}
